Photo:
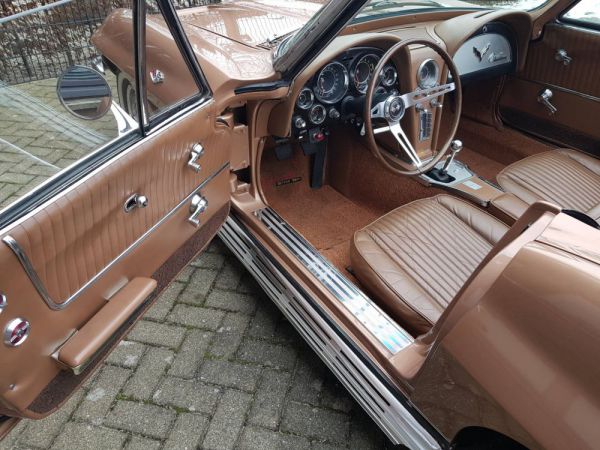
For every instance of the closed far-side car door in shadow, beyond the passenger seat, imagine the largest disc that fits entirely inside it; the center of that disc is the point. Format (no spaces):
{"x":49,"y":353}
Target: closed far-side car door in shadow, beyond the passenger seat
{"x":557,"y":95}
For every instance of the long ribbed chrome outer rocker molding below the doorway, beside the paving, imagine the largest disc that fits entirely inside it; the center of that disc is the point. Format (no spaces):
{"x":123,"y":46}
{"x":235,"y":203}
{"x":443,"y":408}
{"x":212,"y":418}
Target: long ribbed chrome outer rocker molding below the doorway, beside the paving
{"x":377,"y":399}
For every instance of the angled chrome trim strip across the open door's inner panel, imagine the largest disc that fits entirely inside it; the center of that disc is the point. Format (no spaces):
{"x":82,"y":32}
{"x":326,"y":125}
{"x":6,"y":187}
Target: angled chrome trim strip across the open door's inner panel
{"x":41,"y":288}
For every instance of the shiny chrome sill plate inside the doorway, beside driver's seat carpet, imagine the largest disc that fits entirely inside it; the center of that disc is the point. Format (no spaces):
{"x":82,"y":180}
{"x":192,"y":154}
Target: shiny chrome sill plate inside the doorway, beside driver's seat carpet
{"x":379,"y":324}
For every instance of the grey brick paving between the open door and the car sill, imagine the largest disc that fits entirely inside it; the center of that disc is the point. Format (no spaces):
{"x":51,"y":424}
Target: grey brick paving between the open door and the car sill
{"x":213,"y":364}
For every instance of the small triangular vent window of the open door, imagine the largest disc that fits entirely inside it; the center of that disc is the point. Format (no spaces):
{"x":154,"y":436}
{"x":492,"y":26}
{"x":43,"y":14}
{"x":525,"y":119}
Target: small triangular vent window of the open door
{"x":169,"y":80}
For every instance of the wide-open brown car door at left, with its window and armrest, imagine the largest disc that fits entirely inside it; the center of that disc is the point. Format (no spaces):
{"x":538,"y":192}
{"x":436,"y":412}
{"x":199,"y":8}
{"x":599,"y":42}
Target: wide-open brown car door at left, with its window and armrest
{"x":100,"y":213}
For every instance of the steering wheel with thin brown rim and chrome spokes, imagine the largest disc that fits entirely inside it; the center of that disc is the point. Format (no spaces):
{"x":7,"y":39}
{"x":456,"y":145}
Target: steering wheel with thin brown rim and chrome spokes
{"x":393,"y":108}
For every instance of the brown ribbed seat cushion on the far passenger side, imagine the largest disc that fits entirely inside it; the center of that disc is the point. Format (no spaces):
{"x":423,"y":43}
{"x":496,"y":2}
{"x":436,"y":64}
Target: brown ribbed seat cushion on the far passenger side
{"x":567,"y":178}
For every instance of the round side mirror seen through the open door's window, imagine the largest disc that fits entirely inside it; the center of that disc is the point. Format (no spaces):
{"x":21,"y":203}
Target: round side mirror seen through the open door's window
{"x":84,"y":92}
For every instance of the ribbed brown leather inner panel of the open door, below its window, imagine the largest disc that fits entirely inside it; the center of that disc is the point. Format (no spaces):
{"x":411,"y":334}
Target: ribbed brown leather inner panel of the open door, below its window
{"x":83,"y":248}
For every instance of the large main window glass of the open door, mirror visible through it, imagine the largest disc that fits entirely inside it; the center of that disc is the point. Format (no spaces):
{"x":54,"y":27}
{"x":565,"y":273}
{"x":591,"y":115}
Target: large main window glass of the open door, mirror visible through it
{"x":58,"y":100}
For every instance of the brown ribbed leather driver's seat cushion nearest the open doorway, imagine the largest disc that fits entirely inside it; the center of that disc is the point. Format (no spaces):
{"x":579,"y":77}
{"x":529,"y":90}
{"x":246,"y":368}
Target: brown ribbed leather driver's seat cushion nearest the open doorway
{"x":416,"y":258}
